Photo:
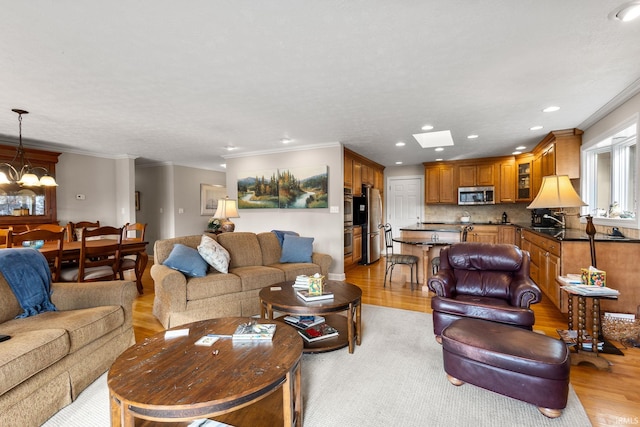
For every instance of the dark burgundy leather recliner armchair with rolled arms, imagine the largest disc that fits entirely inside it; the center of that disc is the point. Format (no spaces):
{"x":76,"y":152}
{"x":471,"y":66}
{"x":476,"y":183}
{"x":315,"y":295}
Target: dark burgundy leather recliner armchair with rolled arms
{"x":483,"y":281}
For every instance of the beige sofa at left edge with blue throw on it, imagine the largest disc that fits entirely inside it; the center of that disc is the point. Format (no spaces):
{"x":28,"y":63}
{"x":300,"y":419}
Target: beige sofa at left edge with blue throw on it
{"x":52,"y":356}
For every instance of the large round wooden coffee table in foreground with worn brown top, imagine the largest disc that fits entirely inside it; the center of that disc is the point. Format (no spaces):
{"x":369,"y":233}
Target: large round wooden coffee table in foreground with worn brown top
{"x":172,"y":379}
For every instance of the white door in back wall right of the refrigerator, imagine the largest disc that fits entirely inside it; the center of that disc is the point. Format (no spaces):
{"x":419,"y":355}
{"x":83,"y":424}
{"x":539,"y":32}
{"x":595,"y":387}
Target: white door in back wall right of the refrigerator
{"x":404,"y":202}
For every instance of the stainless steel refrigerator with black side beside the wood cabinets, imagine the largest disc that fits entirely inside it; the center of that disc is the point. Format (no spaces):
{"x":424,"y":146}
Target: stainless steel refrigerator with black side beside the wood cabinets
{"x":369,"y":215}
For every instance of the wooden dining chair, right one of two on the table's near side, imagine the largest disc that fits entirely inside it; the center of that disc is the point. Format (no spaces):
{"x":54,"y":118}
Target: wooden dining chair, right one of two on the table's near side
{"x":99,"y":256}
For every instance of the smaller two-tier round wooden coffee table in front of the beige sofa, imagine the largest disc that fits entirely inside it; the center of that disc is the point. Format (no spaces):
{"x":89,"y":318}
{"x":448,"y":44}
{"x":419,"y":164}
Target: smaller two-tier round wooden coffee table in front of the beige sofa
{"x":347,"y":297}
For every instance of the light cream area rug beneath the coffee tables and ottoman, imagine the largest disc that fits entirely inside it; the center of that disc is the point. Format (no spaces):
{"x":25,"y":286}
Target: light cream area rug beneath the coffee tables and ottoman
{"x":395,"y":378}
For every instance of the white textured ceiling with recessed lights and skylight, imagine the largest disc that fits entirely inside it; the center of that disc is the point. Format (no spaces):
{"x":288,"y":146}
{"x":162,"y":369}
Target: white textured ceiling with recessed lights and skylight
{"x":180,"y":82}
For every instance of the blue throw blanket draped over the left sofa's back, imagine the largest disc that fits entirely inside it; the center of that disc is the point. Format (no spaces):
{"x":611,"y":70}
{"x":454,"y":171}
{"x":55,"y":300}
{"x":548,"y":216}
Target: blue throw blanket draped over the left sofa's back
{"x":27,"y":272}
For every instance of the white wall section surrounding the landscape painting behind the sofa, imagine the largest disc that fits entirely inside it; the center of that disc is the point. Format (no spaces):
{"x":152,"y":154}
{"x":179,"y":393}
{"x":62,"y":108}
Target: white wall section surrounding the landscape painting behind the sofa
{"x":326,"y":228}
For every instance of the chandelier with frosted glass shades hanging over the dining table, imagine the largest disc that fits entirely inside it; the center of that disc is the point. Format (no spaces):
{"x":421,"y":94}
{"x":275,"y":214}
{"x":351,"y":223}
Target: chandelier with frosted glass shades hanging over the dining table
{"x":19,"y":170}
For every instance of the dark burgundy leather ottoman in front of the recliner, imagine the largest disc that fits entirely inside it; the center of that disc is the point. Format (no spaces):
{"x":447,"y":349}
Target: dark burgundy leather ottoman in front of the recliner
{"x":508,"y":360}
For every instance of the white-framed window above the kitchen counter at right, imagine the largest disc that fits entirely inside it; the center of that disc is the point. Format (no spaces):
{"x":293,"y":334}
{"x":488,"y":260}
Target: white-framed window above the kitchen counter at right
{"x":610,"y":183}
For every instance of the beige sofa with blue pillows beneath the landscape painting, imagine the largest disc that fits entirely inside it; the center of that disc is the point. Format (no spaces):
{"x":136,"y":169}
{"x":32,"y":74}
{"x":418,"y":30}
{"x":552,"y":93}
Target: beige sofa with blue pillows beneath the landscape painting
{"x":255,"y":263}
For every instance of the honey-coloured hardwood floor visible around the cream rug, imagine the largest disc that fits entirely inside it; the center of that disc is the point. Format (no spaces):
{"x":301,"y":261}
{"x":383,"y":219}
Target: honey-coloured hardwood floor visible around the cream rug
{"x":610,"y":398}
